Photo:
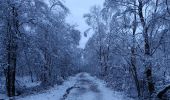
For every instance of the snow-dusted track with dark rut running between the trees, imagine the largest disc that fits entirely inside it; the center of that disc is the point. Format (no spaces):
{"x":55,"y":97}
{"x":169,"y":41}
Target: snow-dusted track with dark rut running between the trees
{"x":81,"y":87}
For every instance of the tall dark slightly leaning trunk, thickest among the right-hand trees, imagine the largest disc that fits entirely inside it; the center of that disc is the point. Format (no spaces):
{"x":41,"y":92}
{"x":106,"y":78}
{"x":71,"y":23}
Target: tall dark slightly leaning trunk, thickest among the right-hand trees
{"x":147,"y":54}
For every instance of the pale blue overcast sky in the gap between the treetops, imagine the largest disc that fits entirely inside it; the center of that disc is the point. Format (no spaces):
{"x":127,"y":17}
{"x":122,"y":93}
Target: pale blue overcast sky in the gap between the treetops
{"x":77,"y":9}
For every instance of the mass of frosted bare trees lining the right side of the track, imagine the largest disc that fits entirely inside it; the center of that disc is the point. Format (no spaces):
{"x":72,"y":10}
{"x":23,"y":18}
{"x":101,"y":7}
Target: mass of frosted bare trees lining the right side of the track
{"x":130,"y":46}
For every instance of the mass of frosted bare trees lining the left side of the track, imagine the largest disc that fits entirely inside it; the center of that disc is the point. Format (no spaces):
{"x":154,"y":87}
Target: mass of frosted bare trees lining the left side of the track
{"x":37,"y":42}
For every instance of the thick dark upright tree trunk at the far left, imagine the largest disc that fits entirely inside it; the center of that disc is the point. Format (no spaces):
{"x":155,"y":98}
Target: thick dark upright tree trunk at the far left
{"x":12,"y":32}
